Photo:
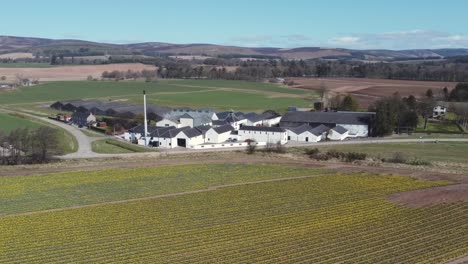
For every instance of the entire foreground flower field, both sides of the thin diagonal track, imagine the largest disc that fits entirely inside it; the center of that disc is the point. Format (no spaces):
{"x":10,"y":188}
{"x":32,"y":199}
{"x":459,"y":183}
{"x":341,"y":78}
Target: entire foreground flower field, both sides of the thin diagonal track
{"x":258,"y":214}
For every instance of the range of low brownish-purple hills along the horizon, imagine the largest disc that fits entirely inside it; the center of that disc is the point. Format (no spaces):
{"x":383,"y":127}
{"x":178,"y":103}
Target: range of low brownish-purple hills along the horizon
{"x":68,"y":47}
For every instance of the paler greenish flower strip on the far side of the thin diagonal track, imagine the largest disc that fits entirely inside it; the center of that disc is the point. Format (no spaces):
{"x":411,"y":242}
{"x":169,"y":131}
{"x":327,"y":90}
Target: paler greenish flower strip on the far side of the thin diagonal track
{"x":67,"y":189}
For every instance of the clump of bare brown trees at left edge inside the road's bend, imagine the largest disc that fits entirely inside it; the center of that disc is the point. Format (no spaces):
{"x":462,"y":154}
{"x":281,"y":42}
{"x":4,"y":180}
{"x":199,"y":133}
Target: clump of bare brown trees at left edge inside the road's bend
{"x":25,"y":146}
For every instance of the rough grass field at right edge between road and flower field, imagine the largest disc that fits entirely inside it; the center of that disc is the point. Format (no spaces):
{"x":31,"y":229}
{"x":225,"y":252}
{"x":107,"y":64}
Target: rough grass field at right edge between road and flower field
{"x":435,"y":152}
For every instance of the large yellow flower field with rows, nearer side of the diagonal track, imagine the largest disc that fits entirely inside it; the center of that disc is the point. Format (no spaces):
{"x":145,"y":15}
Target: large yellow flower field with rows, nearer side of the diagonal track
{"x":325,"y":219}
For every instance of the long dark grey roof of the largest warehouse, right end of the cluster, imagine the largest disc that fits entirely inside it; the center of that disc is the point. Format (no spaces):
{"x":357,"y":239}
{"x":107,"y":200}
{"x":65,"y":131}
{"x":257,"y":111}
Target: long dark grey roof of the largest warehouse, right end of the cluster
{"x":349,"y":118}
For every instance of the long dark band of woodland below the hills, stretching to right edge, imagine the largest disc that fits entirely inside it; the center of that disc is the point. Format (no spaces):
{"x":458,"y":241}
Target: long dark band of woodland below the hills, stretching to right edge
{"x":267,"y":69}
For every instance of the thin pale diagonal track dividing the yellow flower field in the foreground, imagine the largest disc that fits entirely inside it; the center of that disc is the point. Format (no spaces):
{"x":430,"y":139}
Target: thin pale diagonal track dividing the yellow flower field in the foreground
{"x":207,"y":189}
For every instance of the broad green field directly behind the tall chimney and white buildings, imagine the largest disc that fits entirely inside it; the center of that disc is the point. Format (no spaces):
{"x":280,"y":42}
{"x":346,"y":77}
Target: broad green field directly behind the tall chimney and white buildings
{"x":220,"y":95}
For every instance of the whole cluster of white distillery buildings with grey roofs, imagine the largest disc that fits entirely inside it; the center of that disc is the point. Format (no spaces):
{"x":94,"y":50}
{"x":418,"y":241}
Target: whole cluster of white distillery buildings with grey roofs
{"x":204,"y":128}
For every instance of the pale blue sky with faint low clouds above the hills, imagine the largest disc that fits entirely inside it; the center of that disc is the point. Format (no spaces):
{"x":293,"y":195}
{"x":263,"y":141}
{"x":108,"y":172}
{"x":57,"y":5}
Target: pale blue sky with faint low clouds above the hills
{"x":361,"y":24}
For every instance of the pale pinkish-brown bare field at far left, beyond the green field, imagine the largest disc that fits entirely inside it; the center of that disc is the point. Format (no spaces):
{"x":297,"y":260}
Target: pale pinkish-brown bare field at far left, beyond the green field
{"x":71,"y":73}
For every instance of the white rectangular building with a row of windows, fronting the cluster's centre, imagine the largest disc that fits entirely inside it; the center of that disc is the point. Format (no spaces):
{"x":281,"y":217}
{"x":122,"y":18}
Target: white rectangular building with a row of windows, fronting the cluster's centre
{"x":263,"y":134}
